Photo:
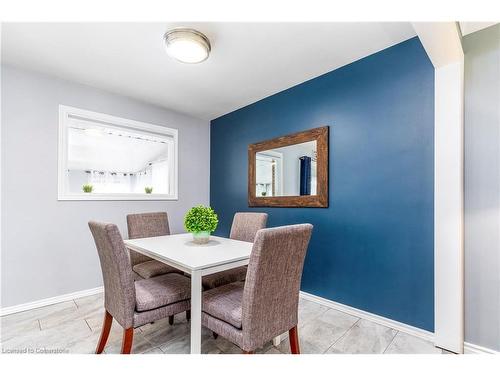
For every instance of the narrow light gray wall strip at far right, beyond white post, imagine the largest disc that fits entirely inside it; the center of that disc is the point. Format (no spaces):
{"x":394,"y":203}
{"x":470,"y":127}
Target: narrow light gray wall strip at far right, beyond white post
{"x":482,"y":188}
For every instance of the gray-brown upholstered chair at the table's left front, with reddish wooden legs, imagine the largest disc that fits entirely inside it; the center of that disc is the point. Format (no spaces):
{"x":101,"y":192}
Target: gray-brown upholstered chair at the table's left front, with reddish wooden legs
{"x":133,"y":303}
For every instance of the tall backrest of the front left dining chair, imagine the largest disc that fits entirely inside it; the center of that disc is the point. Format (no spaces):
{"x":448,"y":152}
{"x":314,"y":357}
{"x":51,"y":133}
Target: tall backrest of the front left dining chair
{"x":119,"y":287}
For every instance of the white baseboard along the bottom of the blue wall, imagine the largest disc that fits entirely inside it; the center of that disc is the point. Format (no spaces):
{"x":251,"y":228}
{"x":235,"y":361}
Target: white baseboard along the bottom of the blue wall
{"x":426,"y":335}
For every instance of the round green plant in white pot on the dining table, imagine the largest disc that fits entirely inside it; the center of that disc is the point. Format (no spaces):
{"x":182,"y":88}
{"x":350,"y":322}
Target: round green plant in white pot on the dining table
{"x":201,"y":221}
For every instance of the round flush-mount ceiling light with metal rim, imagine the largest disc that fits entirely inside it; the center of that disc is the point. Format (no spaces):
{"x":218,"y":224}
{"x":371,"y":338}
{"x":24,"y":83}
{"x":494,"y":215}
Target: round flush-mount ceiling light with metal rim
{"x":187,"y":45}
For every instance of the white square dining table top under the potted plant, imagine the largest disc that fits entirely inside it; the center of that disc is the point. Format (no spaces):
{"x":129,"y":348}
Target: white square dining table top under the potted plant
{"x":180,"y":250}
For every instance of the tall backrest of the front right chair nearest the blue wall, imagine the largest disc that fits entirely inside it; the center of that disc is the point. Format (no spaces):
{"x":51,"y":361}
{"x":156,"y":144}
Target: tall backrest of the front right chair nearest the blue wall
{"x":271,"y":292}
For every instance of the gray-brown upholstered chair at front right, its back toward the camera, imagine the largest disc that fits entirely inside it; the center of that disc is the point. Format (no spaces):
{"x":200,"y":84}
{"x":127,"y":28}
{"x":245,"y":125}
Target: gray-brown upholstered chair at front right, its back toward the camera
{"x":253,"y":312}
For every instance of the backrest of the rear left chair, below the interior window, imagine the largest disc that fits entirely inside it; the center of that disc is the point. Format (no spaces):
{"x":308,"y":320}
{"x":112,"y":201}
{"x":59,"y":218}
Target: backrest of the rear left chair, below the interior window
{"x":149,"y":224}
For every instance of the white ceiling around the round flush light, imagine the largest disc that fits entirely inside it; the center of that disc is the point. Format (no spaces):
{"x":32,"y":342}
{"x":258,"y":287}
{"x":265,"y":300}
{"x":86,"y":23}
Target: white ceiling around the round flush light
{"x":249,"y":61}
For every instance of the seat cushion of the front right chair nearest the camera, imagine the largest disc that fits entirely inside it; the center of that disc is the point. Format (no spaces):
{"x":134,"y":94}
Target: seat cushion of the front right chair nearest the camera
{"x":224,"y":303}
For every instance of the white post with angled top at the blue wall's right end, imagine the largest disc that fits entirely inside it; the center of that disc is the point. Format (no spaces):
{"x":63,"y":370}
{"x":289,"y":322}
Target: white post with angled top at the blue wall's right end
{"x":442,"y":42}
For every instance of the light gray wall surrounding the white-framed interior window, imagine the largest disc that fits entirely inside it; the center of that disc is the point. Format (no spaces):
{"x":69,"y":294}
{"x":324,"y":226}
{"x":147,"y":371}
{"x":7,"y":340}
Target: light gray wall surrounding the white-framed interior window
{"x":47,"y":249}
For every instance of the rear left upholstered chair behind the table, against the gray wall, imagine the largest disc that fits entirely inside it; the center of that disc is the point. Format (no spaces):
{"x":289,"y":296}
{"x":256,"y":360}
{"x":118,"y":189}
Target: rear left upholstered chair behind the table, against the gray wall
{"x":150,"y":224}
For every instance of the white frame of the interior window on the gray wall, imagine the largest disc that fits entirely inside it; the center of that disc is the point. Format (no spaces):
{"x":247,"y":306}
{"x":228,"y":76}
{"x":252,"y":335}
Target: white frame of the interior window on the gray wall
{"x":63,"y":193}
